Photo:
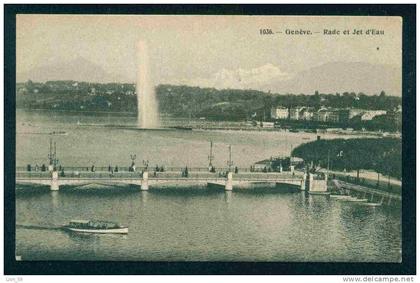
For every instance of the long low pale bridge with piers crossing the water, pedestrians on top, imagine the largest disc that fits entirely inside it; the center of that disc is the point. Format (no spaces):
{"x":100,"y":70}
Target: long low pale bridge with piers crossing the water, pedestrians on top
{"x":227,"y":180}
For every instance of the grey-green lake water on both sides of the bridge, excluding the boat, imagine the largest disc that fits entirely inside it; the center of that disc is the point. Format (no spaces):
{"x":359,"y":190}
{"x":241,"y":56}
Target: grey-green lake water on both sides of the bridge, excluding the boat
{"x":191,"y":224}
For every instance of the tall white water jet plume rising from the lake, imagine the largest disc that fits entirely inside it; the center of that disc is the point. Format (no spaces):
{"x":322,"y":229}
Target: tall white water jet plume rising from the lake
{"x":147,"y":107}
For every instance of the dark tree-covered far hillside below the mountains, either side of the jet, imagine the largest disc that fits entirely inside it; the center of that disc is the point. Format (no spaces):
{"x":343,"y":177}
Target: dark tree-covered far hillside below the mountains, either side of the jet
{"x":186,"y":101}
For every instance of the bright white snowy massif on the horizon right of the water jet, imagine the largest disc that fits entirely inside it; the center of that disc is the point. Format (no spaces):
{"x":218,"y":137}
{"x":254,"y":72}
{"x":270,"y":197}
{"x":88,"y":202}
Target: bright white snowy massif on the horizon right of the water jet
{"x":239,"y":79}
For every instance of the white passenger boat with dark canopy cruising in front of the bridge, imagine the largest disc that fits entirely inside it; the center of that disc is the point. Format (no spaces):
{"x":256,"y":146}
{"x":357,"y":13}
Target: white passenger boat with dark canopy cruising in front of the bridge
{"x":95,"y":226}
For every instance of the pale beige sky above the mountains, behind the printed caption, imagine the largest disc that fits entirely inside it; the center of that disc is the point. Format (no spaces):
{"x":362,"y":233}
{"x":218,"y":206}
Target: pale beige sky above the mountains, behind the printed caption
{"x":219,"y":51}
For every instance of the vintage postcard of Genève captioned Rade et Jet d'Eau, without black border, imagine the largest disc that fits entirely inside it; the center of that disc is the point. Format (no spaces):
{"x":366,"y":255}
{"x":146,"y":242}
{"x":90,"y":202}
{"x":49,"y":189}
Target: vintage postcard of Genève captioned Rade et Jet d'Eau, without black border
{"x":220,"y":138}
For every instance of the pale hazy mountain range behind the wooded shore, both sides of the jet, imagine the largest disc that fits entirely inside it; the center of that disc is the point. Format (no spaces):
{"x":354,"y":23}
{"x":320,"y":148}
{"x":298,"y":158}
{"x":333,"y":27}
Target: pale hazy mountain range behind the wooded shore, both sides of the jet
{"x":327,"y":78}
